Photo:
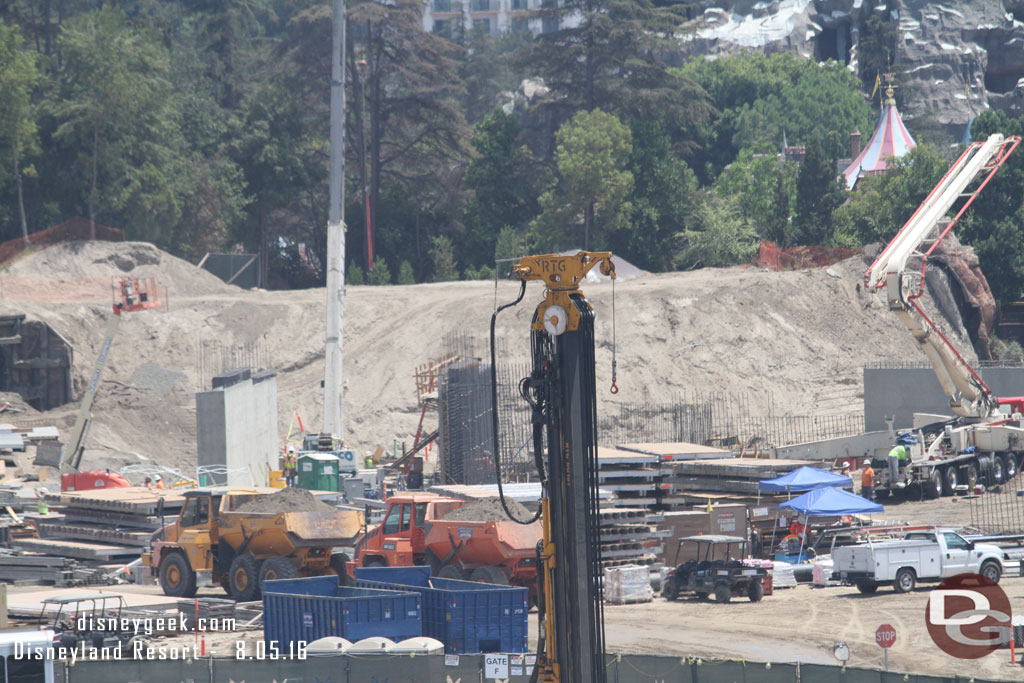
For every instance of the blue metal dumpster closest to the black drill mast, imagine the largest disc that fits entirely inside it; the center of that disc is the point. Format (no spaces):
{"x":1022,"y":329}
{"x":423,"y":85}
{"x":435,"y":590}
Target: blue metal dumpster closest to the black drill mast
{"x":467,"y":617}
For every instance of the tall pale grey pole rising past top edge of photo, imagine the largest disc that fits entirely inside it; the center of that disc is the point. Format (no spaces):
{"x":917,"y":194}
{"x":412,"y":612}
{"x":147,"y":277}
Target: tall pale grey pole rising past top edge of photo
{"x":333,"y":381}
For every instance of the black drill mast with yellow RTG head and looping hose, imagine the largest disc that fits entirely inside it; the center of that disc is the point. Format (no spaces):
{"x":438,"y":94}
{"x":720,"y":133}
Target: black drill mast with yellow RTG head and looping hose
{"x":562,"y":391}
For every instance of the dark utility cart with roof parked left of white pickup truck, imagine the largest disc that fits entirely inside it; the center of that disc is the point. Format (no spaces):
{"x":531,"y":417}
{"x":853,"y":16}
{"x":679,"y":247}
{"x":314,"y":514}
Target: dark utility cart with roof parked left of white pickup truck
{"x":718,"y":570}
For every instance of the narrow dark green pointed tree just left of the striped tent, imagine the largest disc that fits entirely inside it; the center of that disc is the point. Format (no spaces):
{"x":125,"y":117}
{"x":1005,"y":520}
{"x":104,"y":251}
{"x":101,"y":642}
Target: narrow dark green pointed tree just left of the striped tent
{"x":819,"y":195}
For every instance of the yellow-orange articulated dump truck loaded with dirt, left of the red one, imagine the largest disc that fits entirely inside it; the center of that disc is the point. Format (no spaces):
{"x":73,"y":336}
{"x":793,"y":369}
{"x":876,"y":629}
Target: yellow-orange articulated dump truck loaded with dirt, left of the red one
{"x":239,"y":538}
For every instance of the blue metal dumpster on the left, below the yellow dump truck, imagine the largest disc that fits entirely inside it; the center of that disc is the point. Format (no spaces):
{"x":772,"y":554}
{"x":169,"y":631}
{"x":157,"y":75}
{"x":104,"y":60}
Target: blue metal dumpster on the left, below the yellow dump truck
{"x":307,"y":610}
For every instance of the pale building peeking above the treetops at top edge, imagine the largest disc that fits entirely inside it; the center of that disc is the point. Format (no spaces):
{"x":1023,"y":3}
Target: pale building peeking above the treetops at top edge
{"x":491,"y":17}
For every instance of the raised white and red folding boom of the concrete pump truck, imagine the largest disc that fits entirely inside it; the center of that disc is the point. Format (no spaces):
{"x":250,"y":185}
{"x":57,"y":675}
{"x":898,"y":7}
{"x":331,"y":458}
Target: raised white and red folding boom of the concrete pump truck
{"x":969,"y":396}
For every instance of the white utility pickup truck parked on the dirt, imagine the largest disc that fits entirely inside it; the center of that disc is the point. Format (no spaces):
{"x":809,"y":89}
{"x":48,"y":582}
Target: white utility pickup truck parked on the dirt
{"x":931,"y":556}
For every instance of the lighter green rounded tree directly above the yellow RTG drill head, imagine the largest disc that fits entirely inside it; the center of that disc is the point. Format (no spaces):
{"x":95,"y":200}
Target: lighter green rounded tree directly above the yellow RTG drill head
{"x":594,"y":183}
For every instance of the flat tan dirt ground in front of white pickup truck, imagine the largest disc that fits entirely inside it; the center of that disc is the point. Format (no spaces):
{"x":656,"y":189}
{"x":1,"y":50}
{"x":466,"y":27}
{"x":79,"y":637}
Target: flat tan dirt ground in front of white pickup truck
{"x":798,"y":625}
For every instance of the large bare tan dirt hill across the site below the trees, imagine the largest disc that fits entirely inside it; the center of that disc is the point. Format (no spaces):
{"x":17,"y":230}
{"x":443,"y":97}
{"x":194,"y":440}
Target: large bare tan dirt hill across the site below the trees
{"x":801,"y":337}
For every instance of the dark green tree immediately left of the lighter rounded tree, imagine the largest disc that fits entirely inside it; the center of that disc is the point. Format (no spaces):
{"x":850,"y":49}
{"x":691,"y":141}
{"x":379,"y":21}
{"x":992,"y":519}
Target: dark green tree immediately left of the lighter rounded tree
{"x":504,"y":181}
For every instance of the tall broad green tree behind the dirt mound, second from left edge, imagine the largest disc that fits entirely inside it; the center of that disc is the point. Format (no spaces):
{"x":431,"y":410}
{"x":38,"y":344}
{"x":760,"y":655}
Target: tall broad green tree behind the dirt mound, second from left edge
{"x":114,"y":106}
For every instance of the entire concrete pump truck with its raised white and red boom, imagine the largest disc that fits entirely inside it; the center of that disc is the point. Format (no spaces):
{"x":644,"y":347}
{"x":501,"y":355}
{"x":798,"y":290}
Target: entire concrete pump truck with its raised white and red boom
{"x":986,"y":440}
